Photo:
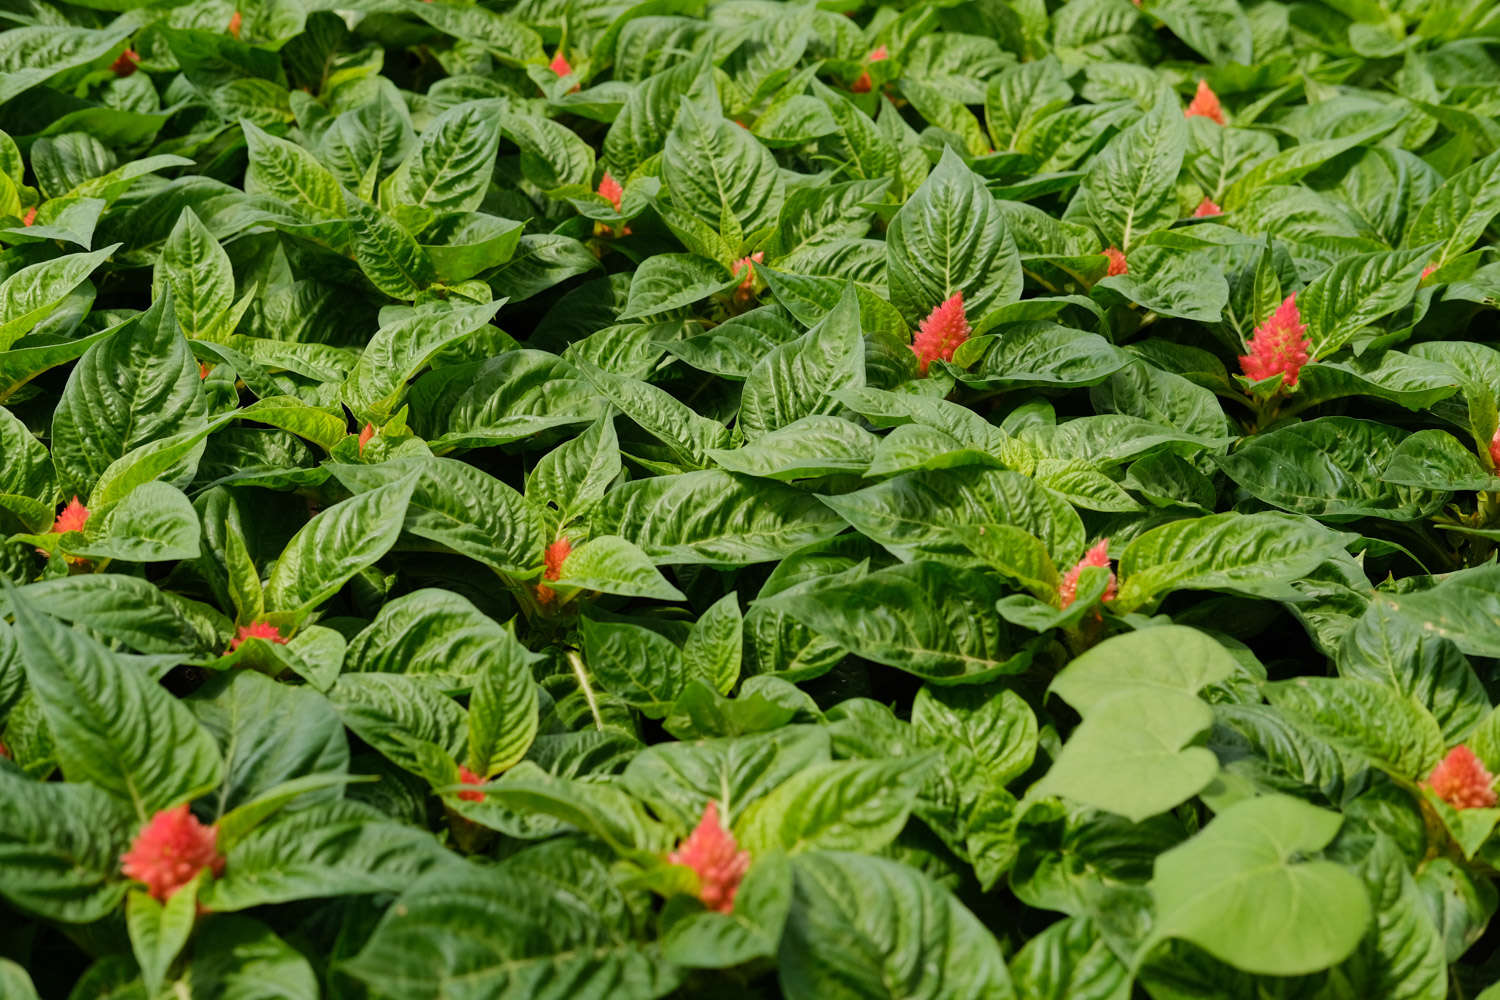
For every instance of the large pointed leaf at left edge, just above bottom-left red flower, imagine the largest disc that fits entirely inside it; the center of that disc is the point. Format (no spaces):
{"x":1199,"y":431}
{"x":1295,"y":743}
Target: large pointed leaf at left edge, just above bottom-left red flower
{"x":112,"y":723}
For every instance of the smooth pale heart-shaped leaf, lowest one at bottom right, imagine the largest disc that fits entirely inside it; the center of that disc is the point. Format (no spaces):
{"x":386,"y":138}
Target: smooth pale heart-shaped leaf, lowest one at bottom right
{"x":1244,"y":890}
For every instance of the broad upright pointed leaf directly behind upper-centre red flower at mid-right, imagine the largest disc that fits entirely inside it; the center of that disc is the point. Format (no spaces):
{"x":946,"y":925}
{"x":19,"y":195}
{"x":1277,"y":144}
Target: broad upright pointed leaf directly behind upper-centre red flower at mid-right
{"x":950,"y":238}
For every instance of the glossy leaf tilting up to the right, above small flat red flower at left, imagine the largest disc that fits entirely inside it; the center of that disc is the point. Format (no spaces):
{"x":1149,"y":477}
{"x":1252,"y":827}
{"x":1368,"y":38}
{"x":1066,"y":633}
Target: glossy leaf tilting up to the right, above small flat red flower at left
{"x":335,"y":545}
